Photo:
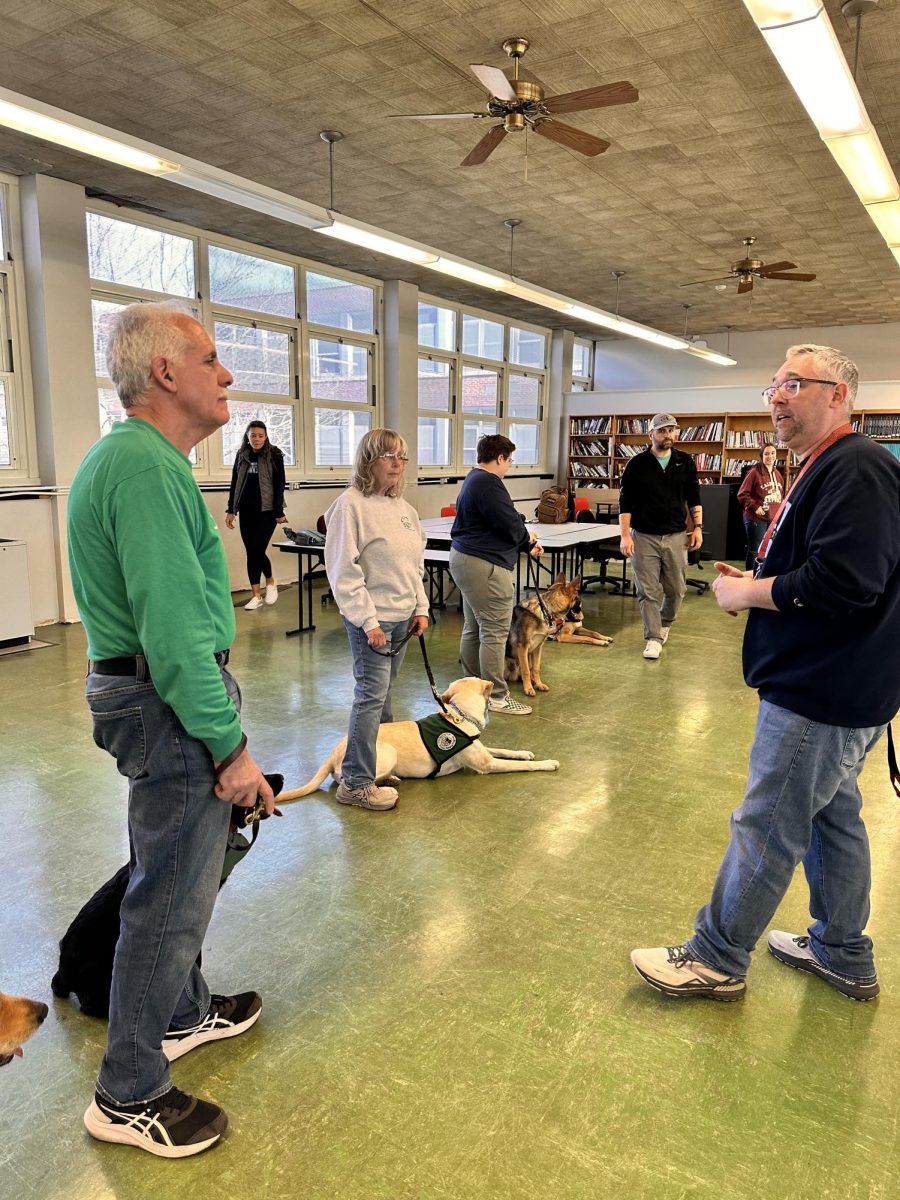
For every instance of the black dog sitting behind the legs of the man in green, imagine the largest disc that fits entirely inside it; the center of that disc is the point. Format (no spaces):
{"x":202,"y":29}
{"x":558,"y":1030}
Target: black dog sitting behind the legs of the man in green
{"x":88,"y":947}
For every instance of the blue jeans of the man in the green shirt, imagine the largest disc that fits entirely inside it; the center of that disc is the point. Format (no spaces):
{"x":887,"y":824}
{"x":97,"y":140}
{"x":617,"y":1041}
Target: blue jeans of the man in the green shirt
{"x":178,"y":831}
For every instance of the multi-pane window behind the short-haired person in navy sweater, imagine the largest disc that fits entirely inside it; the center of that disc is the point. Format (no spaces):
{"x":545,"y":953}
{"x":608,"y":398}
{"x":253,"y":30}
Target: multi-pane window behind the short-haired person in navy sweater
{"x":494,"y":383}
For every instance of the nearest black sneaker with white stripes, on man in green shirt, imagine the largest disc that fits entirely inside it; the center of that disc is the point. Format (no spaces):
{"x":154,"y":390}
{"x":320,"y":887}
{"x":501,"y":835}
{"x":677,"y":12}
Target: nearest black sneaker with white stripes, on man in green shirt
{"x":172,"y":1126}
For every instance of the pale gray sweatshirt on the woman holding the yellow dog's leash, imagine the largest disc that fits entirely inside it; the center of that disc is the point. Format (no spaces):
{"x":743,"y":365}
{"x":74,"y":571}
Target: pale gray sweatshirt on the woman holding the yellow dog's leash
{"x":375,"y":550}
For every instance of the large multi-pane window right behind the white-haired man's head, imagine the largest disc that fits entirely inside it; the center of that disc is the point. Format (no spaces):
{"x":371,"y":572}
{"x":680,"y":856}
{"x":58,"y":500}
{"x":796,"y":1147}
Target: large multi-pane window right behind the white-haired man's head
{"x":308,"y":371}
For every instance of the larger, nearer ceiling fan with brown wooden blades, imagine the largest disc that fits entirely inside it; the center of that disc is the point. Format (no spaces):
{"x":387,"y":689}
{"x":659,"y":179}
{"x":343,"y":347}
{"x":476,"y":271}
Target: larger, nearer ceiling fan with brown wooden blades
{"x":521,"y":105}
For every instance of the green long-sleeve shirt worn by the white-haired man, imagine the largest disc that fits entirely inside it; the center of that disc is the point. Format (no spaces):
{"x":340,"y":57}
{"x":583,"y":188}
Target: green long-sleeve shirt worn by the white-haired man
{"x":151,"y":577}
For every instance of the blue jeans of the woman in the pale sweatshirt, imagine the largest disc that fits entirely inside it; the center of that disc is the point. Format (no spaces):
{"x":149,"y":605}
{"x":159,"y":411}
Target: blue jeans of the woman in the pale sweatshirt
{"x":374,"y":674}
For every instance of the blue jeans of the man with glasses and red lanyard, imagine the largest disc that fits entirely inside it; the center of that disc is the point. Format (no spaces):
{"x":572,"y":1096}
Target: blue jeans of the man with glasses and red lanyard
{"x":802,"y":805}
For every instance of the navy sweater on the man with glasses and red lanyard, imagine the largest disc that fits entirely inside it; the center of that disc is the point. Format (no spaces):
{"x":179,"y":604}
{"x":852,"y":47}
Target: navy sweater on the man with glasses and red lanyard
{"x":832,"y":651}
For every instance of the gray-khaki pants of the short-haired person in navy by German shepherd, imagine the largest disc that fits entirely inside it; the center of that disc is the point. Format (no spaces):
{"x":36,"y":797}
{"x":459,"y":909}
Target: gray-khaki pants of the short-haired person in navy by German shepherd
{"x":488,"y":595}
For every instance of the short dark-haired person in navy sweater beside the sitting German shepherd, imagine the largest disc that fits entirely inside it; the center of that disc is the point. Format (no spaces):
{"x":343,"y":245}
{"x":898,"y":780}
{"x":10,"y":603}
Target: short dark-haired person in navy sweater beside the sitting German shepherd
{"x":487,"y":541}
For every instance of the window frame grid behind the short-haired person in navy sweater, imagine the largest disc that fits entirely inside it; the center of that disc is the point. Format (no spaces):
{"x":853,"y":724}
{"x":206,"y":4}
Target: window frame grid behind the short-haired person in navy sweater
{"x":459,"y":361}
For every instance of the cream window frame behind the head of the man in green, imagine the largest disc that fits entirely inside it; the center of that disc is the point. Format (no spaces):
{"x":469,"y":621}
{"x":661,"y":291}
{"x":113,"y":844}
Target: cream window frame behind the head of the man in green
{"x":208,"y":469}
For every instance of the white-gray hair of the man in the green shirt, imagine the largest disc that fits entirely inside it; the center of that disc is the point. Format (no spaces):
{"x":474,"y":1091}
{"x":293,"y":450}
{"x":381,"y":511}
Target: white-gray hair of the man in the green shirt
{"x":139,"y":335}
